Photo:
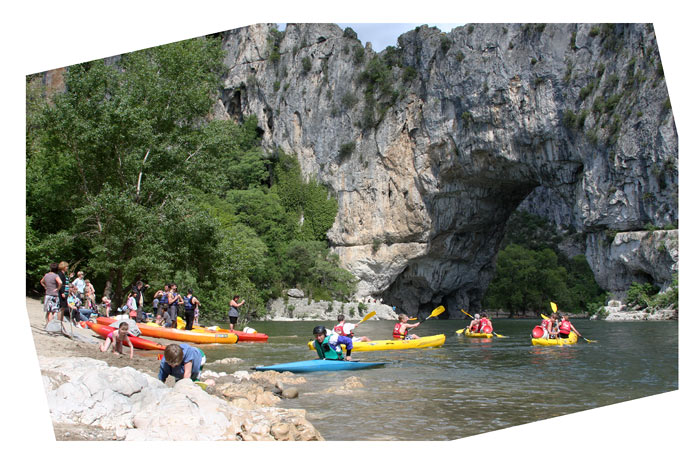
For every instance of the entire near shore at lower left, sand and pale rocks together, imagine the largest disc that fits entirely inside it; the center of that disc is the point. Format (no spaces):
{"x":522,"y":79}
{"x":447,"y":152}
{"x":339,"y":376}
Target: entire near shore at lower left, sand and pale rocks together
{"x":101,"y":396}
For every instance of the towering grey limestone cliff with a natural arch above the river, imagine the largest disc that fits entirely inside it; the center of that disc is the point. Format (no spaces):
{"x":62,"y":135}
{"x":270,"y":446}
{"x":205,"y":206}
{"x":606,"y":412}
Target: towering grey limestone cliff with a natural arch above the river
{"x":430,"y":146}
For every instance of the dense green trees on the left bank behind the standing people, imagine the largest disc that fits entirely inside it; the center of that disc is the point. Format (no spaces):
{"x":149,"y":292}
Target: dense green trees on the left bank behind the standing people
{"x":129,"y":178}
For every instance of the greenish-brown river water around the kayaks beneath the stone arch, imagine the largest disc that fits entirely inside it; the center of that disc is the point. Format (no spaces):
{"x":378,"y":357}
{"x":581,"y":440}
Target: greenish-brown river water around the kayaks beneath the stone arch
{"x":468,"y":386}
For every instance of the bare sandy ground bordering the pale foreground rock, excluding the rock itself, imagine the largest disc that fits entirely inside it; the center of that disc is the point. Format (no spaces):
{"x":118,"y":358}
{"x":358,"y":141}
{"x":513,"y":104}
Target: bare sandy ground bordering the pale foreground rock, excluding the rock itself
{"x":85,"y":345}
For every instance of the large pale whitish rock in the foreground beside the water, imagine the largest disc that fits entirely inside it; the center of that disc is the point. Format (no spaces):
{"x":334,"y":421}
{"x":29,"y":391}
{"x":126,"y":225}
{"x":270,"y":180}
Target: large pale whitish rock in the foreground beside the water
{"x":138,"y":407}
